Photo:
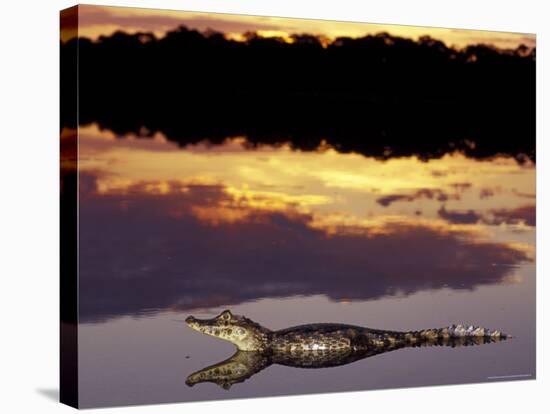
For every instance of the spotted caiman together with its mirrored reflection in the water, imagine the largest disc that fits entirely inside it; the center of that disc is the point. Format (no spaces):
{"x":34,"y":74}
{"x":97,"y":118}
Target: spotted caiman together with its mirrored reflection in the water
{"x":319,"y":345}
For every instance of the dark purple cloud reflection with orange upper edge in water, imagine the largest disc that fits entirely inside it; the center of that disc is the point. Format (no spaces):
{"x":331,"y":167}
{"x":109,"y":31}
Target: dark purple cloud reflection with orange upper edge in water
{"x":152,"y":248}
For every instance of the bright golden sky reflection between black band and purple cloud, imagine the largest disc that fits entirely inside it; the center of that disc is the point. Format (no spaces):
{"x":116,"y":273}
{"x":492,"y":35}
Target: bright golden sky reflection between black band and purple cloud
{"x":338,"y":193}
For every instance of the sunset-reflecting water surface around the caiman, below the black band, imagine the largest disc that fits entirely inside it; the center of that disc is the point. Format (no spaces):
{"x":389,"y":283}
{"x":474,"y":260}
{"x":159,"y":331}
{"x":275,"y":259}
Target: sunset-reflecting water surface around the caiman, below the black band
{"x":287,"y":237}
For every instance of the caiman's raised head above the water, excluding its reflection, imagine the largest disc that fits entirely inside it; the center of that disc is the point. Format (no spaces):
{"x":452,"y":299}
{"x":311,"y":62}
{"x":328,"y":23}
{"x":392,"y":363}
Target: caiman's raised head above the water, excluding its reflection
{"x":245,"y":334}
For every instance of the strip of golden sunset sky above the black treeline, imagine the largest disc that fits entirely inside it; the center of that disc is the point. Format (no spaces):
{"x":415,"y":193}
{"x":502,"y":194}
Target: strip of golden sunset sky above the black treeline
{"x":95,"y":21}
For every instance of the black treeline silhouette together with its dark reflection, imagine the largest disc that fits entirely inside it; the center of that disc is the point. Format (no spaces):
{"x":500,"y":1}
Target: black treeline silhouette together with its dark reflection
{"x":380,"y":95}
